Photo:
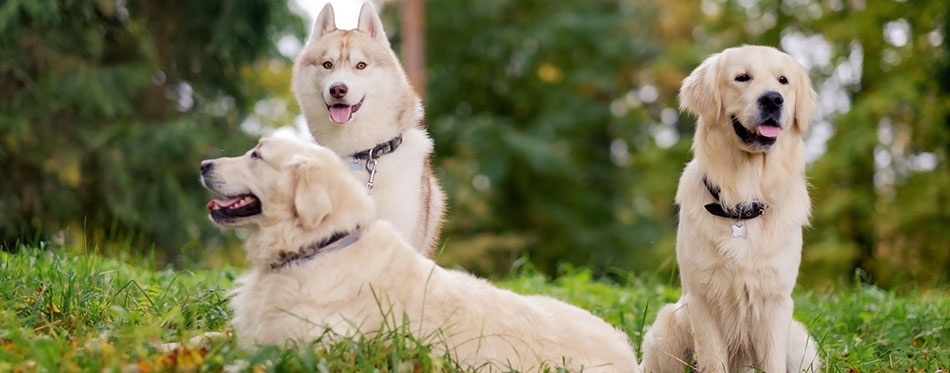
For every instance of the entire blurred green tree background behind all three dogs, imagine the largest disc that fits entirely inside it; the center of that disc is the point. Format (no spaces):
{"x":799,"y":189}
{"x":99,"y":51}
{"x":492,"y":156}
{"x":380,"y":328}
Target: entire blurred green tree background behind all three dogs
{"x":556,"y":124}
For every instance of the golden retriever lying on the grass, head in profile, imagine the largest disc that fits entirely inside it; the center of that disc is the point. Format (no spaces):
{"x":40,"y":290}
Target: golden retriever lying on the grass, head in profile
{"x":322,"y":262}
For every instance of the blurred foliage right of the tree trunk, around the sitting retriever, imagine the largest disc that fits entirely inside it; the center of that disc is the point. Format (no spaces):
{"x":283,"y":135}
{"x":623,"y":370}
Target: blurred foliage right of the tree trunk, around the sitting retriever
{"x":556,"y":128}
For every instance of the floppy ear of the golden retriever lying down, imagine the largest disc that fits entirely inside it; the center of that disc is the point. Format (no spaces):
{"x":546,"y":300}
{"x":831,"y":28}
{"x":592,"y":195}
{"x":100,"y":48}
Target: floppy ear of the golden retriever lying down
{"x":312,"y":203}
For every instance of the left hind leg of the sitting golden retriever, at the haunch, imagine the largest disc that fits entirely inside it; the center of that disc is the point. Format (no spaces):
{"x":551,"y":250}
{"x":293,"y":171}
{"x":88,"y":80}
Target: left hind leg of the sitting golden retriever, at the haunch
{"x":666,"y":345}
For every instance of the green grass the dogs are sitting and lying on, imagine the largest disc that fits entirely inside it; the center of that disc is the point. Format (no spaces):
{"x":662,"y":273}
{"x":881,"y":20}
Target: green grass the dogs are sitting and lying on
{"x":62,"y":310}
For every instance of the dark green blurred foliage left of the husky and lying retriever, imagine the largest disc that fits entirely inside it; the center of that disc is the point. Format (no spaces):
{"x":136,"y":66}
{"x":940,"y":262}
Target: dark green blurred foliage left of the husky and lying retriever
{"x":106,"y":109}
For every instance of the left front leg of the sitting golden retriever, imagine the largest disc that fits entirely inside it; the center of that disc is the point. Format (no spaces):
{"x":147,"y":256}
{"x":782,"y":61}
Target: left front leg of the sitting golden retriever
{"x":708,"y":347}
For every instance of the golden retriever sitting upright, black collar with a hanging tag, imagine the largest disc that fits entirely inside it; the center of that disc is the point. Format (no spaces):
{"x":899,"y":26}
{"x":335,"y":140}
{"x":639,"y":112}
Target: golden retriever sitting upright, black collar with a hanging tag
{"x":743,"y":201}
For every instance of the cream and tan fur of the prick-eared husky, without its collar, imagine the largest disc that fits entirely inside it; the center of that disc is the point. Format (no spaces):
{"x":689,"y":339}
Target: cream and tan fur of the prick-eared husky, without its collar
{"x":381,"y":105}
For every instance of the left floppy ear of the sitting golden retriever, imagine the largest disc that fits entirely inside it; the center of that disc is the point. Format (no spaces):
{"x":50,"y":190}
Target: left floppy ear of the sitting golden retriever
{"x":700,"y":90}
